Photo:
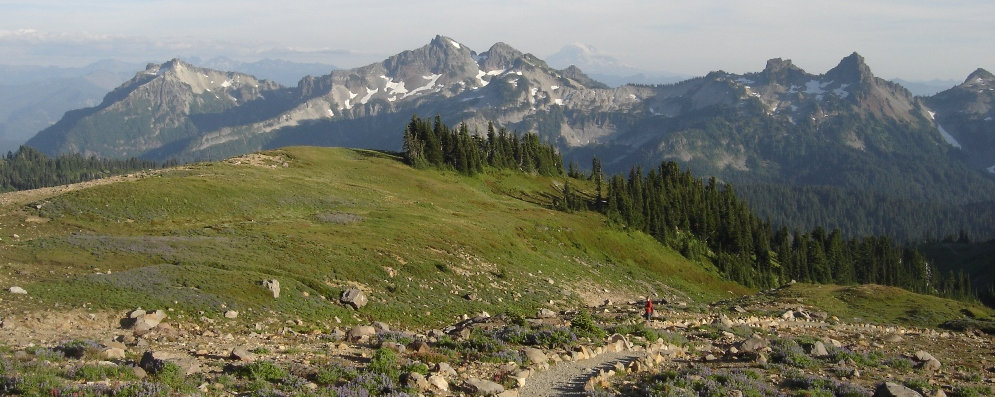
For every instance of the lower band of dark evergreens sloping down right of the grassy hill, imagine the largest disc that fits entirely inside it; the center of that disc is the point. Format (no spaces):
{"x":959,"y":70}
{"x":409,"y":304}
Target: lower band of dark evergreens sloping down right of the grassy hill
{"x":706,"y":219}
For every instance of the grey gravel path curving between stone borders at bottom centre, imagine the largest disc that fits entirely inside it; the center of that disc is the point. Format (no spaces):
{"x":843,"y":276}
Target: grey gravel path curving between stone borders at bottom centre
{"x":568,"y":378}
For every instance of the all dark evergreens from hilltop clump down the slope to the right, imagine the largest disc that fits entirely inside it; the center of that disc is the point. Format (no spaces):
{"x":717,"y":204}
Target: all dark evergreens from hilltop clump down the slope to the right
{"x":704,"y":220}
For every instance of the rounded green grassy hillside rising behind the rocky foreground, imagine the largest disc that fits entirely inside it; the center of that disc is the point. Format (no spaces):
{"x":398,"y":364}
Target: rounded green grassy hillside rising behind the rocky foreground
{"x":202,"y":237}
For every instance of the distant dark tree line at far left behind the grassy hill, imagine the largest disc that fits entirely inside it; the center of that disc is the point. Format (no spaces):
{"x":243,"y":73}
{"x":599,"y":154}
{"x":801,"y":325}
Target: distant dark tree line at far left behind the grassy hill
{"x":29,"y":168}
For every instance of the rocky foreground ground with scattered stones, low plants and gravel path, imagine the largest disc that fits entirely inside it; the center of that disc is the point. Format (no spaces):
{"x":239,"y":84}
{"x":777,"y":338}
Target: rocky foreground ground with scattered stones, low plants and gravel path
{"x":602,"y":350}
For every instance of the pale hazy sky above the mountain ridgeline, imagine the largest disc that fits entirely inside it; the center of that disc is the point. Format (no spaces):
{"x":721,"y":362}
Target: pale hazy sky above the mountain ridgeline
{"x":916,"y":39}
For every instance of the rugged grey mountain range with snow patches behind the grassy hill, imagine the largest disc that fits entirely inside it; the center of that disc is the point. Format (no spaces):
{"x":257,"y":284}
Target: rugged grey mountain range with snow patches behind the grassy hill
{"x":845,"y":128}
